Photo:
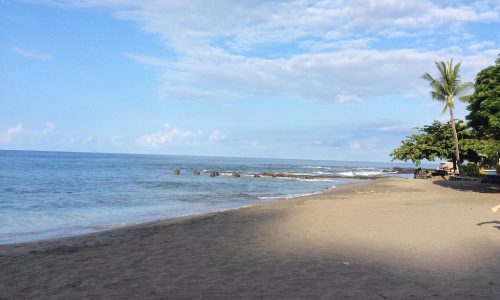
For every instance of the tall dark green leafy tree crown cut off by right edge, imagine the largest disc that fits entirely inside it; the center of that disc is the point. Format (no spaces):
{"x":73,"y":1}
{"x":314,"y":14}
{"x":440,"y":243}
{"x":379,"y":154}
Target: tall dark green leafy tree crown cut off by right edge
{"x":484,"y":104}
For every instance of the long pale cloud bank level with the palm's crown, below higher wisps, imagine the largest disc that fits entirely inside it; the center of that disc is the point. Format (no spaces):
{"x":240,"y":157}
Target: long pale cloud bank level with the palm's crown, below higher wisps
{"x":346,"y":75}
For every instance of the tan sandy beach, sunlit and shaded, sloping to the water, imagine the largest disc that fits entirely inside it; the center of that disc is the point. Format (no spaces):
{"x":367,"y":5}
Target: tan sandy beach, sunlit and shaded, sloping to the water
{"x":382,"y":239}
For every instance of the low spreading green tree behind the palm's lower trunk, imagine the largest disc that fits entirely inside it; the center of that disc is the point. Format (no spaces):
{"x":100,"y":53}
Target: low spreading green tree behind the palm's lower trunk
{"x":436,"y":141}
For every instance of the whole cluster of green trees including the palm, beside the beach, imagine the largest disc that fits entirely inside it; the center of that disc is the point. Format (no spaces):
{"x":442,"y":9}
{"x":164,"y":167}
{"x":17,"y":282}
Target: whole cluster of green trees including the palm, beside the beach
{"x":477,"y":139}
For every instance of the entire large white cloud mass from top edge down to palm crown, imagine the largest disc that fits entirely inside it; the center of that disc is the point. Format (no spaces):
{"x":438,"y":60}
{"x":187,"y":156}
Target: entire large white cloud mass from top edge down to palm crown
{"x":332,"y":59}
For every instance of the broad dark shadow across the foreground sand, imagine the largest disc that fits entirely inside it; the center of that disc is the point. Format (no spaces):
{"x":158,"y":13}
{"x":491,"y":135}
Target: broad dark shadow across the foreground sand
{"x":212,"y":257}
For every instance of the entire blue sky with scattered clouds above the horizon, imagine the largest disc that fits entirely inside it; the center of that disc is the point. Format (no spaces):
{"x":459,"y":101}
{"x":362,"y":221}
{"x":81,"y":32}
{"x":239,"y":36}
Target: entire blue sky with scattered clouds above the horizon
{"x":334,"y":80}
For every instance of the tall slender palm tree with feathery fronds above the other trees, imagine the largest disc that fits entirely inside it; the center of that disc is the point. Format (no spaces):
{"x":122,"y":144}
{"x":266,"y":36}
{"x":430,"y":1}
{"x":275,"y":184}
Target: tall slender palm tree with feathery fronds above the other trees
{"x":445,"y":89}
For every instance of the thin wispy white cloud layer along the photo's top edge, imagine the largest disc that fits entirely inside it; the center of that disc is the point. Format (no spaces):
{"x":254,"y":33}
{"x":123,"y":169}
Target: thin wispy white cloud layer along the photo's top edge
{"x":244,"y":24}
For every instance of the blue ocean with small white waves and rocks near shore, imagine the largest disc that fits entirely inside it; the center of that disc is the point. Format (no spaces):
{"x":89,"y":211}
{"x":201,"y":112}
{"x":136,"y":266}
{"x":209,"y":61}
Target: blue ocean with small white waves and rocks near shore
{"x":47,"y":195}
